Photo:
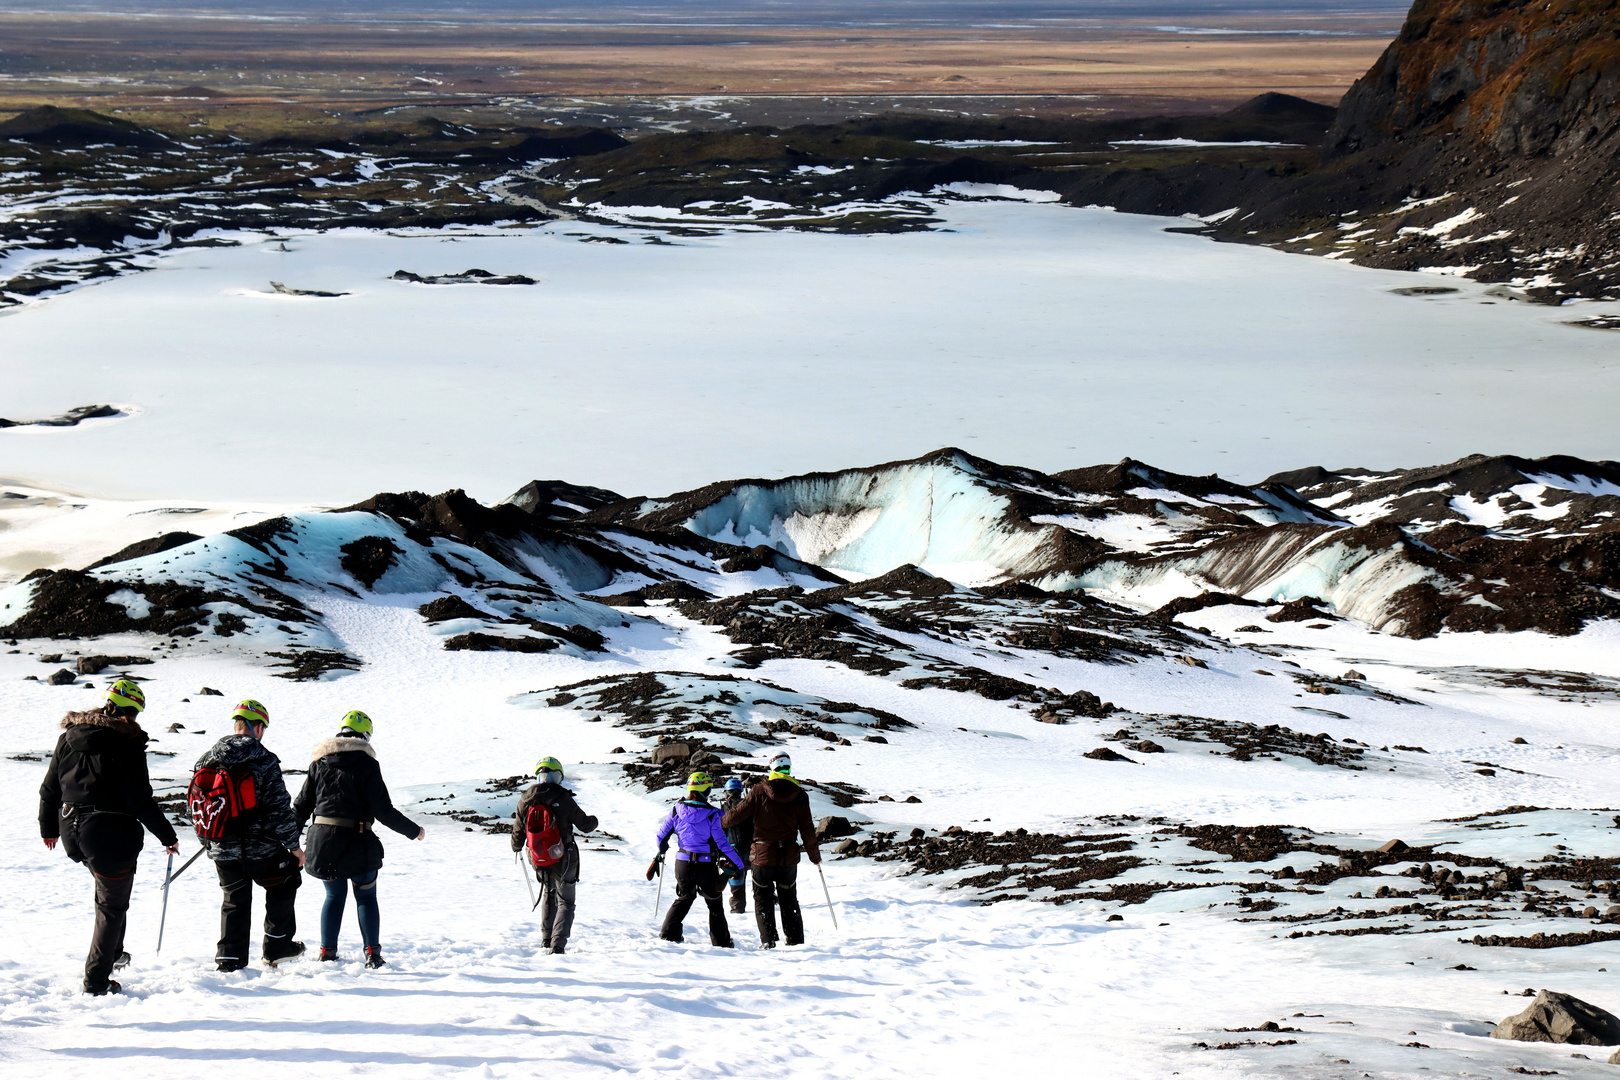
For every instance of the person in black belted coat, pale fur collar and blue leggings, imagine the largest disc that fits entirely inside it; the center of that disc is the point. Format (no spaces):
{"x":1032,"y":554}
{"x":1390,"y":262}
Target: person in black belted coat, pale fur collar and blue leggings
{"x":347,"y":797}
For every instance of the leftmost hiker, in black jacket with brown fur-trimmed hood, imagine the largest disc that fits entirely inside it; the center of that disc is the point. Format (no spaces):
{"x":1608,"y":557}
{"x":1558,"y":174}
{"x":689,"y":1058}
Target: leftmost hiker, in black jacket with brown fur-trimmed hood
{"x":95,"y":799}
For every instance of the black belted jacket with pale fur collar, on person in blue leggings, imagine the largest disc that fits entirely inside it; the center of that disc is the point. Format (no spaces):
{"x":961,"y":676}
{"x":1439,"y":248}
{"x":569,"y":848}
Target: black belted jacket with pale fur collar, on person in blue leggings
{"x":346,"y":781}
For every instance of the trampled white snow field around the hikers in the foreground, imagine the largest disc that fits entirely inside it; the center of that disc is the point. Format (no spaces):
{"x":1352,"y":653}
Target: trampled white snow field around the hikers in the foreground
{"x":916,"y":982}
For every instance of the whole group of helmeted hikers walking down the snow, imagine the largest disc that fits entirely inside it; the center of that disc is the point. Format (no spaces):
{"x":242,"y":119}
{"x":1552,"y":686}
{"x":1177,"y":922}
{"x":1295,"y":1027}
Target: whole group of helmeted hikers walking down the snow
{"x":98,"y":799}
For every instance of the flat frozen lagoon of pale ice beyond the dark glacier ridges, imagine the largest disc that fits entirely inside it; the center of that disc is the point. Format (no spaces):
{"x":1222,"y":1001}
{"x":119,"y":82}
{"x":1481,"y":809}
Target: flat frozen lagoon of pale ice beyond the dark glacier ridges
{"x":1042,"y":336}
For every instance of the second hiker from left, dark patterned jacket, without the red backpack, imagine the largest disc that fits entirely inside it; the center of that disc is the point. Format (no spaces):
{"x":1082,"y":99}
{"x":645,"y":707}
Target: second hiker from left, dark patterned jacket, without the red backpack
{"x":262,"y":846}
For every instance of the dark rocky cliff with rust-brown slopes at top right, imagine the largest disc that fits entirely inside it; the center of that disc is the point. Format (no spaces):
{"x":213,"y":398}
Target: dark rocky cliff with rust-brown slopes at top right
{"x":1483,"y":143}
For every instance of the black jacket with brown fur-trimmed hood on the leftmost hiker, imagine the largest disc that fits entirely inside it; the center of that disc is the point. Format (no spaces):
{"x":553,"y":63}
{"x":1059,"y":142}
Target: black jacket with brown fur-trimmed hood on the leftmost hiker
{"x":101,"y":762}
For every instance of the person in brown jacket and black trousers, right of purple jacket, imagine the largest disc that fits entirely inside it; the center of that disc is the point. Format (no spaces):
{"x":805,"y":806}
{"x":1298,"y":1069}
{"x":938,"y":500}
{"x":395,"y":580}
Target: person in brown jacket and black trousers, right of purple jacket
{"x":780,"y":812}
